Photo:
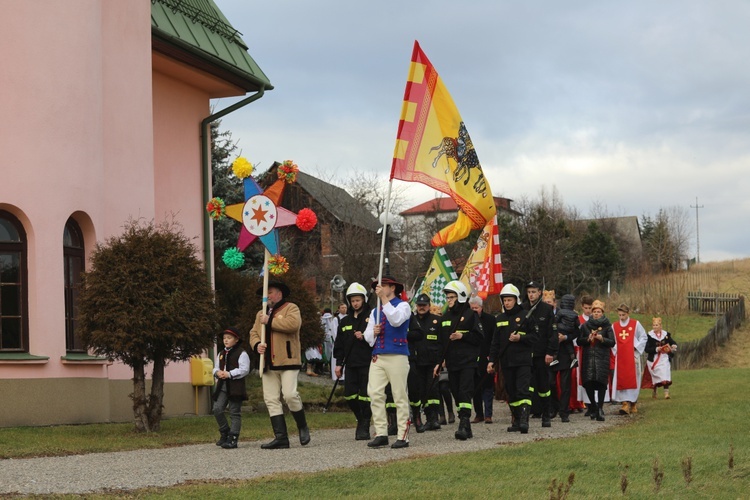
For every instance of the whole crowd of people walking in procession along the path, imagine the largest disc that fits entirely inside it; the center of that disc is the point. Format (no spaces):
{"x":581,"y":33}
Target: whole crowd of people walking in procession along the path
{"x":402,"y":367}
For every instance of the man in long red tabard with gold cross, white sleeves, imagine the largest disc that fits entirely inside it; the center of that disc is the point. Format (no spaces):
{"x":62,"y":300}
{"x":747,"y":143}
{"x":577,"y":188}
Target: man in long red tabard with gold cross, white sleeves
{"x":630,"y":337}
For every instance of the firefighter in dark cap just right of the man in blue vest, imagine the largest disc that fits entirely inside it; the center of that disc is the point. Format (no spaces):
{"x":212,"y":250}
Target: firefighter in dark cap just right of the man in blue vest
{"x":425,"y":328}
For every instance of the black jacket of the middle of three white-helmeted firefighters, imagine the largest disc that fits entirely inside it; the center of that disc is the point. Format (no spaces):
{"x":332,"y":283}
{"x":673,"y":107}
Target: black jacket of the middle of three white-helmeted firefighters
{"x":462,"y":353}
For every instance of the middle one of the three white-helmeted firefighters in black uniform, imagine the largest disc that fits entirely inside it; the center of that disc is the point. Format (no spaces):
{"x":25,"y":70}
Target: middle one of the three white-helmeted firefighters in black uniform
{"x":461,"y":336}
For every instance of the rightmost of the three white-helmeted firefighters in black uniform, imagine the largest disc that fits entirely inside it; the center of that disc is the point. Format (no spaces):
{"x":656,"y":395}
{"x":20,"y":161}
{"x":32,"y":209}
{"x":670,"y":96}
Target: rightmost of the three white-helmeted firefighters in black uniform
{"x":512,"y":347}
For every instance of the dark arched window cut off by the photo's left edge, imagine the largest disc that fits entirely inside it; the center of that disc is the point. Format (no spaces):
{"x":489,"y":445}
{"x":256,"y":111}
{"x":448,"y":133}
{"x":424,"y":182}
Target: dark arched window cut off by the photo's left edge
{"x":14,"y":317}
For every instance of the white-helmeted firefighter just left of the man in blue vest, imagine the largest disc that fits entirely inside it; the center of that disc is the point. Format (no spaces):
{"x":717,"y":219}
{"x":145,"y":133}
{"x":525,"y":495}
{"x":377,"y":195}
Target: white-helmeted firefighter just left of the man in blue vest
{"x":351,"y":349}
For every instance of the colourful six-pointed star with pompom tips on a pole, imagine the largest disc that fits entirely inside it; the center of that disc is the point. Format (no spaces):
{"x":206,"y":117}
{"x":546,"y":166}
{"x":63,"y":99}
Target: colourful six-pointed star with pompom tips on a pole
{"x":261,"y":215}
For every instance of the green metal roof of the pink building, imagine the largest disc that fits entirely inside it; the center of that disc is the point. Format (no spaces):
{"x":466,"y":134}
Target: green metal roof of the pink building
{"x":196,"y":32}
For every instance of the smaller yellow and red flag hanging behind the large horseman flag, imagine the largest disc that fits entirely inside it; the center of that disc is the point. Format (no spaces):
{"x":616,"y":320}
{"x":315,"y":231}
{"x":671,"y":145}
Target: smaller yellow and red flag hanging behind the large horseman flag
{"x":483,"y":273}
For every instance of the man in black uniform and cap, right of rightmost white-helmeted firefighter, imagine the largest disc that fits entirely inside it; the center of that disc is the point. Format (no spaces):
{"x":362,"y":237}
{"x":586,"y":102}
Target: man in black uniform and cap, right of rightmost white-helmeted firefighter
{"x":545,"y":349}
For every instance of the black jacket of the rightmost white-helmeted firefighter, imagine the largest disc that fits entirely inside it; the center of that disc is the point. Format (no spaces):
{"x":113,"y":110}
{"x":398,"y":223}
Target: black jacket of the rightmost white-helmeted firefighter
{"x":509,"y":353}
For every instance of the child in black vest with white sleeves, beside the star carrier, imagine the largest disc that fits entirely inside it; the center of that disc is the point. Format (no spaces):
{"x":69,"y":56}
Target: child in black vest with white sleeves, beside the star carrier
{"x":232,"y":366}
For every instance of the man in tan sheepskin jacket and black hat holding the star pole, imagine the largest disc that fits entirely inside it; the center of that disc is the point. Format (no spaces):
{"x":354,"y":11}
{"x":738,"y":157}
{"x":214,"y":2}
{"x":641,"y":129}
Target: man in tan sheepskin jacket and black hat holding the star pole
{"x":282,"y":363}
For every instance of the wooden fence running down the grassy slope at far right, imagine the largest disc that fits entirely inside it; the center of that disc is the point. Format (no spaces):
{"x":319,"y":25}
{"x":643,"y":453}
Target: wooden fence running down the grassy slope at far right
{"x":693,"y":354}
